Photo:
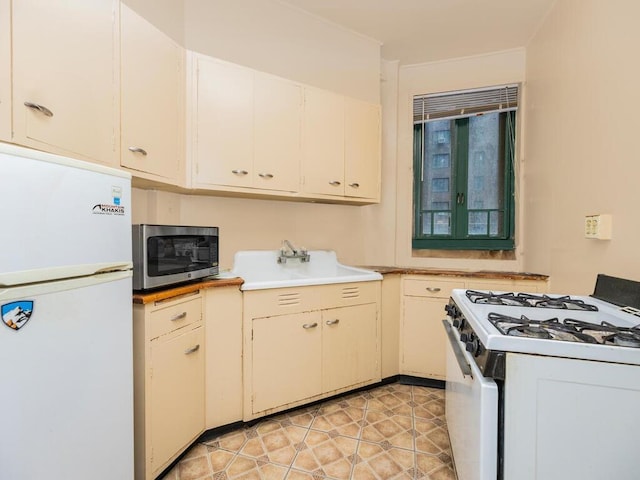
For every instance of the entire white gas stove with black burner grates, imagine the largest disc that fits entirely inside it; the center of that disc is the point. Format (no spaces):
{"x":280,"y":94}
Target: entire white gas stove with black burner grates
{"x":544,"y":387}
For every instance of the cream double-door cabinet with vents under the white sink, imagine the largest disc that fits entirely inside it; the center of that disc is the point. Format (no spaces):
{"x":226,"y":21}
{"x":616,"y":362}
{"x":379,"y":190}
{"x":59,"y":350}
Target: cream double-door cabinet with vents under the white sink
{"x":309,"y":343}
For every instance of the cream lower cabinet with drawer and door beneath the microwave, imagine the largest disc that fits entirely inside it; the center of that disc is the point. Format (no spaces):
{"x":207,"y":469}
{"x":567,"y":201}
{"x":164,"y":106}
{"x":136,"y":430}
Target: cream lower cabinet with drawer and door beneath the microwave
{"x":169,"y":381}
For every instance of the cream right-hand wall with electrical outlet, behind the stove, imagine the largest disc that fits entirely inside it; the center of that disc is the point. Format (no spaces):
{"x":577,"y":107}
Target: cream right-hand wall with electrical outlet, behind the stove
{"x":581,"y":151}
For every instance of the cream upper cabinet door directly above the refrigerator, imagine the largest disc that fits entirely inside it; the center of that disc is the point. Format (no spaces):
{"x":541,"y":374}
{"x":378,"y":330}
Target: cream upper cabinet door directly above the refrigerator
{"x":66,"y":77}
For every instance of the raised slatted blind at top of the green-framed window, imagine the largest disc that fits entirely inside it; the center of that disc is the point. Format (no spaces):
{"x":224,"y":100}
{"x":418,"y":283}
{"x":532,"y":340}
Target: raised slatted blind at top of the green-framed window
{"x":465,"y":103}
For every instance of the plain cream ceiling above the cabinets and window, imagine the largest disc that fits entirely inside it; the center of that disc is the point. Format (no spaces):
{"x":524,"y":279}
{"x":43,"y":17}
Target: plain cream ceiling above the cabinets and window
{"x":419,"y":31}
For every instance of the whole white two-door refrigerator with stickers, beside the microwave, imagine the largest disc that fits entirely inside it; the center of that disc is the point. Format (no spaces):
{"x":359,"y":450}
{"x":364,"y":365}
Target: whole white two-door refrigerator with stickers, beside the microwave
{"x":66,"y":360}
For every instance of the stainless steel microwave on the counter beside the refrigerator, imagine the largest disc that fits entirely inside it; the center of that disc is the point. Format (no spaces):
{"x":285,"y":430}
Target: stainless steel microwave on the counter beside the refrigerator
{"x":165,"y":255}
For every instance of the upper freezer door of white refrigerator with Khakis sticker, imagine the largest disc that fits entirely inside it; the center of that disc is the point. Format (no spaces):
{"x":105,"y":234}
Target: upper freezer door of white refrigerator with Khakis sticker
{"x":61,"y":217}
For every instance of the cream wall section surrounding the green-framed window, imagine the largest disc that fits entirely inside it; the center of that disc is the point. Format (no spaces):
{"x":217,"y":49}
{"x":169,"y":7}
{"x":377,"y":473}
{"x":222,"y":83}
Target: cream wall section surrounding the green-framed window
{"x":456,"y":74}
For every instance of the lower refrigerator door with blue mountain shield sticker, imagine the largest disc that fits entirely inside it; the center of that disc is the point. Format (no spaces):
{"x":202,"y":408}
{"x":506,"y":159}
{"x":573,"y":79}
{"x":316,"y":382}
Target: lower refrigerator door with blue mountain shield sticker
{"x":67,"y":380}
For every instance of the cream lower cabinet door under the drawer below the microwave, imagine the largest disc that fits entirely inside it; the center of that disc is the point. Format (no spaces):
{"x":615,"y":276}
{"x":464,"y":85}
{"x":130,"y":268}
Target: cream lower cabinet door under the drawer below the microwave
{"x":177,"y":395}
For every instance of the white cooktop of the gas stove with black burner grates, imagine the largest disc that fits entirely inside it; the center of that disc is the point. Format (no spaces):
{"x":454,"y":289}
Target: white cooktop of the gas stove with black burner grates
{"x":554,"y":325}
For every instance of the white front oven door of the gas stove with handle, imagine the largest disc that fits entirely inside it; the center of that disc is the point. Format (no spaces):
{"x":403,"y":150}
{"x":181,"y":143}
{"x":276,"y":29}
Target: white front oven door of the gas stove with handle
{"x":472,"y":413}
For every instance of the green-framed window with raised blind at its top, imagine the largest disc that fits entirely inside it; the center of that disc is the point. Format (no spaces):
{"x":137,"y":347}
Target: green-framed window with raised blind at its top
{"x":463,"y":164}
